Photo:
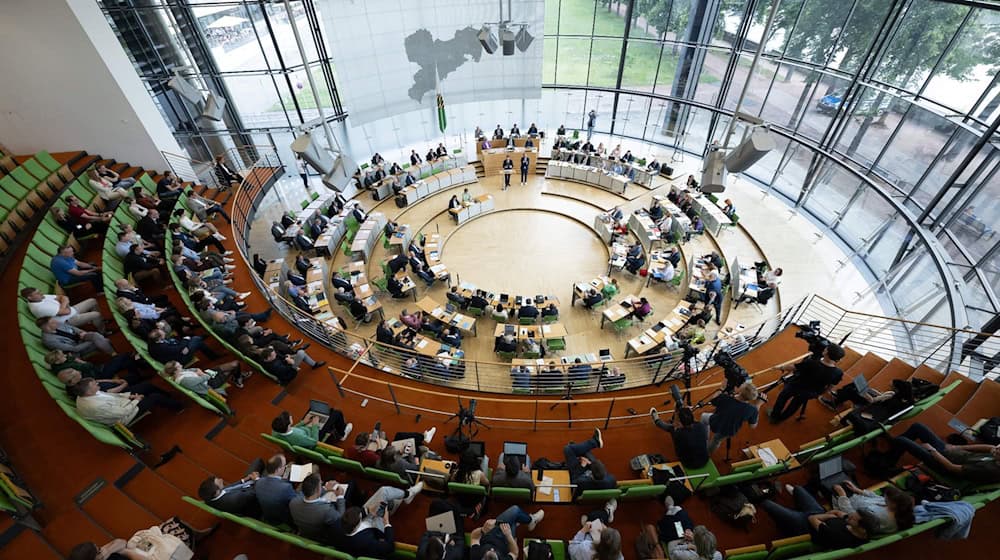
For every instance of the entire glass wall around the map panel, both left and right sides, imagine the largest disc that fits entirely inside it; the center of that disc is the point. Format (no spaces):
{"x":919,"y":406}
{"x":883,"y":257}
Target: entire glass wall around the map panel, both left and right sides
{"x":880,"y":108}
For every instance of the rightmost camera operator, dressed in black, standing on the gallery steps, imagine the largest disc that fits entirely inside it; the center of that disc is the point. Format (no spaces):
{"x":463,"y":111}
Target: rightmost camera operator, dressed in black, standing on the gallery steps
{"x":812,"y":377}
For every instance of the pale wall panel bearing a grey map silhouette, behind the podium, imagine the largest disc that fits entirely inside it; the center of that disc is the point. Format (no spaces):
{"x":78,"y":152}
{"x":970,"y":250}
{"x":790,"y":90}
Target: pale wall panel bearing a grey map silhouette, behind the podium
{"x":385,"y":53}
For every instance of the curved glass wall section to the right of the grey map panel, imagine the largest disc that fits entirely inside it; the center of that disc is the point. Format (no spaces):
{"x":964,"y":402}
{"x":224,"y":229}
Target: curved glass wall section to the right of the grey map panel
{"x":880,"y":106}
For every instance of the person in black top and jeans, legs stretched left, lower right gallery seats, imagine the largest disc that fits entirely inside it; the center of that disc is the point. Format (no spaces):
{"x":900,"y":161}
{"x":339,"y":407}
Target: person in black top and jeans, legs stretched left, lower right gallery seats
{"x":832,"y":529}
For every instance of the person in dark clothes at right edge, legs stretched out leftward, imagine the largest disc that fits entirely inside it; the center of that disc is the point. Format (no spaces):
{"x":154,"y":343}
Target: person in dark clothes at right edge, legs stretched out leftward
{"x":979,"y":463}
